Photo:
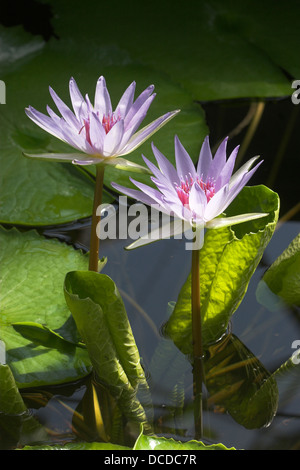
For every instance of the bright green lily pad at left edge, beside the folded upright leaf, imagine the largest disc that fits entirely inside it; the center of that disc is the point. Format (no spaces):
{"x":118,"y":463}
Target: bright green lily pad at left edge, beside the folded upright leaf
{"x":32,"y":276}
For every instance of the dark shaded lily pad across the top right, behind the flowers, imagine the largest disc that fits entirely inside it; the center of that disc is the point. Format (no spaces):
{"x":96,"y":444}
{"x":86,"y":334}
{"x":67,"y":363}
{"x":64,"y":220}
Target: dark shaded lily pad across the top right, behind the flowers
{"x":211,"y":48}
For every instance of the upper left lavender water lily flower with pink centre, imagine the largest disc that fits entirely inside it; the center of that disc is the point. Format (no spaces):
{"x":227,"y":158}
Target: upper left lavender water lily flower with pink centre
{"x":99,"y":134}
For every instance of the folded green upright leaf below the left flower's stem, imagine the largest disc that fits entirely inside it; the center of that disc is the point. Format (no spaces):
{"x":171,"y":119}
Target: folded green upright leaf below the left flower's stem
{"x":102,"y":322}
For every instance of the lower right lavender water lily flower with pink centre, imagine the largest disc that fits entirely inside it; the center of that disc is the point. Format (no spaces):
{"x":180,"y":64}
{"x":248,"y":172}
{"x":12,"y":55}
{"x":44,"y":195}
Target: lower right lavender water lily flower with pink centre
{"x":197,"y":195}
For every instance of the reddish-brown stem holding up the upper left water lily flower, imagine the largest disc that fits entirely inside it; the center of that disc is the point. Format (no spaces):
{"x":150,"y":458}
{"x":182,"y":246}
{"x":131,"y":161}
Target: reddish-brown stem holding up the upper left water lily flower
{"x":94,"y":242}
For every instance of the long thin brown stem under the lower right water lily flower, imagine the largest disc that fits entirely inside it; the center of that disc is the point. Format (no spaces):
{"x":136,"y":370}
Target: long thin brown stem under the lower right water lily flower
{"x":197,"y":345}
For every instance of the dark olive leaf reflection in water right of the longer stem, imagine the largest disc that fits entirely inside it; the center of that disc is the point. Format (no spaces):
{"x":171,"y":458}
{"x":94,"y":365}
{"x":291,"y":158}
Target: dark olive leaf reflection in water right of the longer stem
{"x":239,"y":383}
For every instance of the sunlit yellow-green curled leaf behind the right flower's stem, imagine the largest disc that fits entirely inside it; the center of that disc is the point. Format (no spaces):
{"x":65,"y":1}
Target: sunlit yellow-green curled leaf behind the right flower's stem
{"x":228,"y":259}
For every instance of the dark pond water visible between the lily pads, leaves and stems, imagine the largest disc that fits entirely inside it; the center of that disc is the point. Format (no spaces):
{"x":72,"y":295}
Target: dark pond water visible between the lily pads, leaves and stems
{"x":151,"y":277}
